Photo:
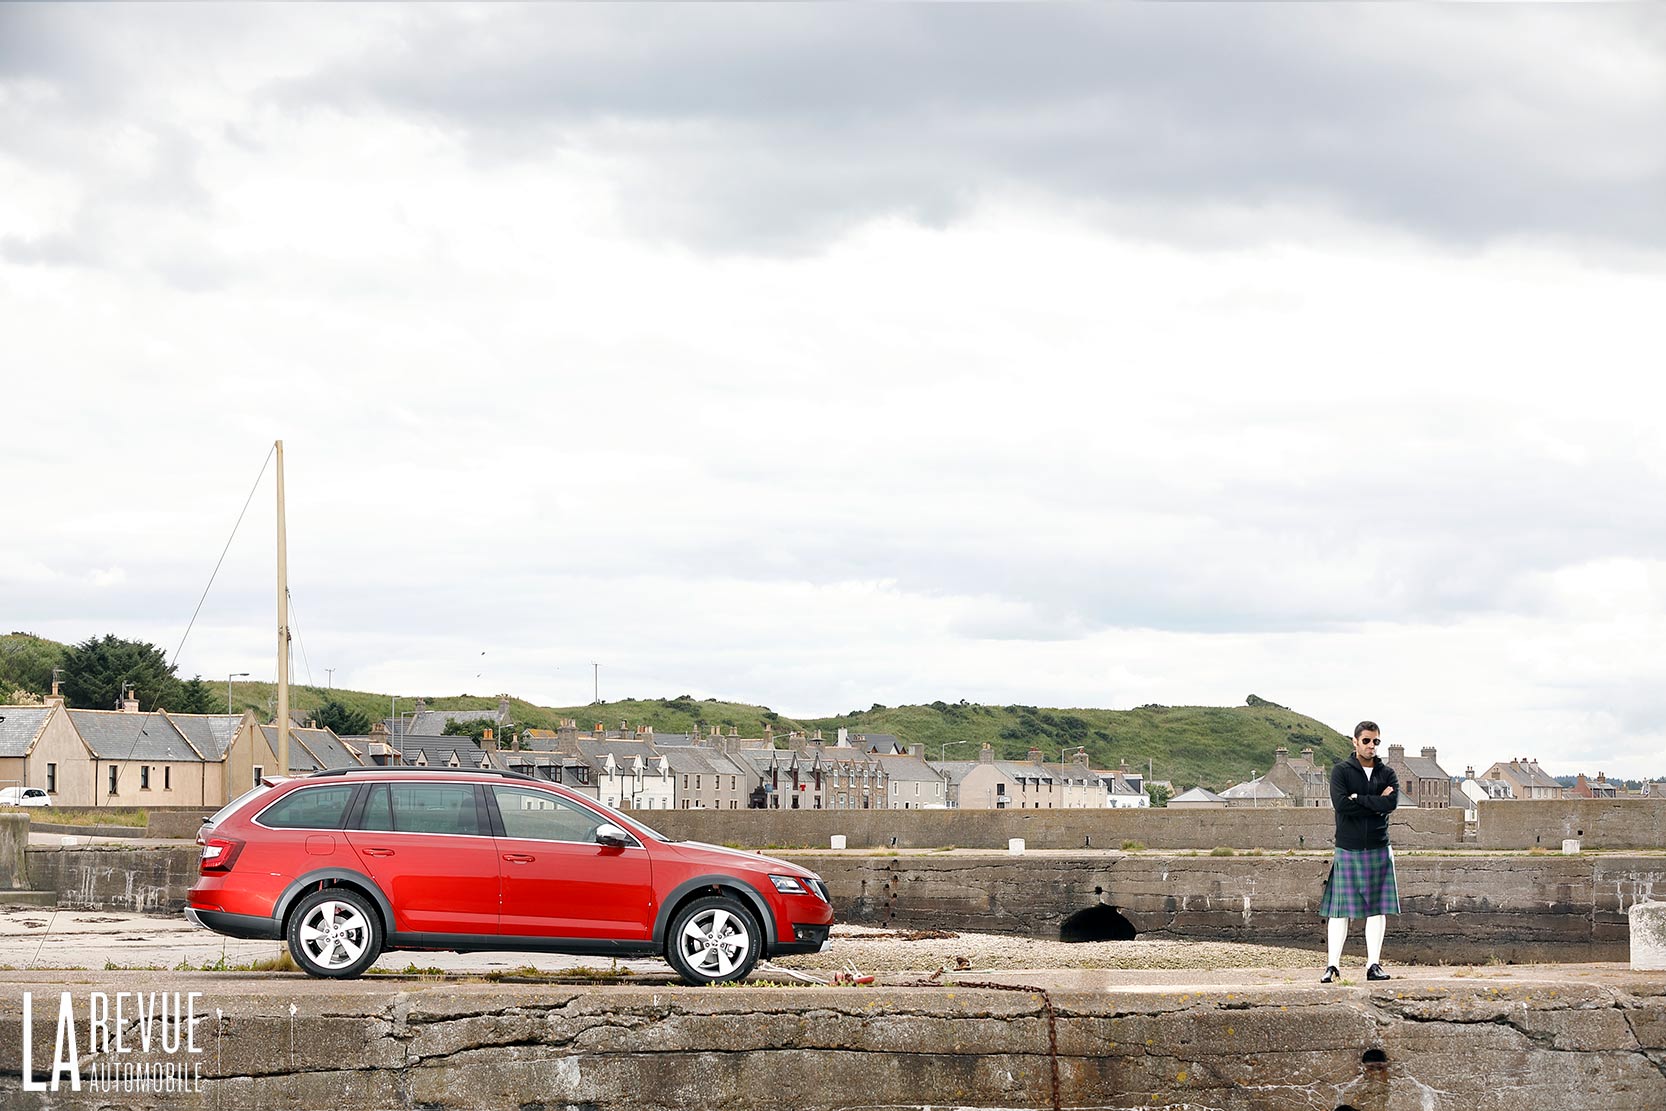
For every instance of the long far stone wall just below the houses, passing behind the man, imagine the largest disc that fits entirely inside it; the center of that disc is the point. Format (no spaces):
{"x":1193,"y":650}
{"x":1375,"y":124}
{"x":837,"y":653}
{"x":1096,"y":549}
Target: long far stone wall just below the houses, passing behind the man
{"x":1267,"y":829}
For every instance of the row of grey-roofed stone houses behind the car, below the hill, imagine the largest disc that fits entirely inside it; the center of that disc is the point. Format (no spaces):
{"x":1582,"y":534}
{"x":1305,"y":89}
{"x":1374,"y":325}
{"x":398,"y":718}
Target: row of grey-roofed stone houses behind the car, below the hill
{"x":161,"y":759}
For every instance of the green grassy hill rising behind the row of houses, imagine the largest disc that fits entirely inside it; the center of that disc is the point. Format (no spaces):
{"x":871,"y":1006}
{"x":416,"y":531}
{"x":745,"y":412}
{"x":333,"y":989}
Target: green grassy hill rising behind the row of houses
{"x":1189,"y":745}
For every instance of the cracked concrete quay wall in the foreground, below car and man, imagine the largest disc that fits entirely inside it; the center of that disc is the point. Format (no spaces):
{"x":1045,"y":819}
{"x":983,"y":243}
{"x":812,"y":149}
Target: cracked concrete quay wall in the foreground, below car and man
{"x":281,"y":1042}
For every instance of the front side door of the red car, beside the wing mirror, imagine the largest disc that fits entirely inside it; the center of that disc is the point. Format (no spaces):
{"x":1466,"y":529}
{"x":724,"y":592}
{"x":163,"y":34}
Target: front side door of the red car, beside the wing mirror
{"x":559,"y":882}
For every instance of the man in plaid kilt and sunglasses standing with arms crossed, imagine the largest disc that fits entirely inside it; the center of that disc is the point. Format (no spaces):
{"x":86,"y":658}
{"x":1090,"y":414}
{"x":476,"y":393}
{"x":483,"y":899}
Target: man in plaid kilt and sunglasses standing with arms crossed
{"x":1365,"y":792}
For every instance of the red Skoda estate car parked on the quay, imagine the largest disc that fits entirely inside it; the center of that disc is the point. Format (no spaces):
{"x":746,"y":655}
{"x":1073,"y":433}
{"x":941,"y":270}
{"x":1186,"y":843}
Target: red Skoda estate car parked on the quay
{"x":356,"y":862}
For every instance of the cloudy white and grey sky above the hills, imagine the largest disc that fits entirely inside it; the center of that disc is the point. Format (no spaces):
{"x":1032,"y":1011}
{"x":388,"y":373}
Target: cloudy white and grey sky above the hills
{"x":837,"y":356}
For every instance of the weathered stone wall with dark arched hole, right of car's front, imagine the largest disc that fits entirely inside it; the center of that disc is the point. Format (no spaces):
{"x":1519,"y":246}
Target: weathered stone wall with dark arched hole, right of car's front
{"x":1462,"y":909}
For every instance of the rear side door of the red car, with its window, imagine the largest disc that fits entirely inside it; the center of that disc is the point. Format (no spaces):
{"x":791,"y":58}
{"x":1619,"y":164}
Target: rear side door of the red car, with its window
{"x":431,"y":852}
